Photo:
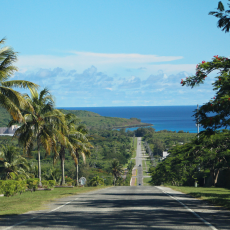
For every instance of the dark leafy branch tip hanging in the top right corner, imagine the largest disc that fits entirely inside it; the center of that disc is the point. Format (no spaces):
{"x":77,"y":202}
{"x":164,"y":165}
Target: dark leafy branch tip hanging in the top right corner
{"x":223,"y":15}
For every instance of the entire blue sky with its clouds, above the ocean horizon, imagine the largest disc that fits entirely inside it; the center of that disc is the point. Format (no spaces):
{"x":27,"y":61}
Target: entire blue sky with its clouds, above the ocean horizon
{"x":116,"y":52}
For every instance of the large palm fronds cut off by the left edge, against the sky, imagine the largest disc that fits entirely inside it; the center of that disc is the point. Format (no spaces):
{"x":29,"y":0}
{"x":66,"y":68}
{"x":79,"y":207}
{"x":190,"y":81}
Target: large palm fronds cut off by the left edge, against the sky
{"x":10,"y":99}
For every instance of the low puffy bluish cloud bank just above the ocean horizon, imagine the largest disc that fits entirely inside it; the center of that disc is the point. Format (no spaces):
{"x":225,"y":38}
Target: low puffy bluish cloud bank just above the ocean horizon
{"x":96,"y":88}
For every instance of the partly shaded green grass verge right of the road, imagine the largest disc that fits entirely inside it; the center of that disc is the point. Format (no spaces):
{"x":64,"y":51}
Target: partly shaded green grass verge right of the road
{"x":216,"y":196}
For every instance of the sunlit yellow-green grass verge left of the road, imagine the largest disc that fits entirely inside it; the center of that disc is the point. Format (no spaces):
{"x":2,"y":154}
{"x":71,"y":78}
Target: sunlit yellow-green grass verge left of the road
{"x":29,"y":201}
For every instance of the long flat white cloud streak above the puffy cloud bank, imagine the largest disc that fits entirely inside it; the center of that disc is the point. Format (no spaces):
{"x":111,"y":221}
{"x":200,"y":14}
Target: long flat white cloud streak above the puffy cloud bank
{"x":82,"y":60}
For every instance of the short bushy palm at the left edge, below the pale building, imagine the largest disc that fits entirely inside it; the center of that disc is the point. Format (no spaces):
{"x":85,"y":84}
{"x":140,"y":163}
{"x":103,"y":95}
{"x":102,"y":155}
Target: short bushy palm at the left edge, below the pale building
{"x":12,"y":164}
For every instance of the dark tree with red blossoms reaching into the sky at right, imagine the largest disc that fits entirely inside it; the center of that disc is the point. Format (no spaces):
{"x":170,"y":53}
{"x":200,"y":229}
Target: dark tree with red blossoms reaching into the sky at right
{"x":214,"y":114}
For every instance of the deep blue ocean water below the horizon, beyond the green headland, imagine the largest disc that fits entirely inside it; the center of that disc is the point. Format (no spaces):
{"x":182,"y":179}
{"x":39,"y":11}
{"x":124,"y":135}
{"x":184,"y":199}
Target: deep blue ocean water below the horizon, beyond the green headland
{"x":172,"y":118}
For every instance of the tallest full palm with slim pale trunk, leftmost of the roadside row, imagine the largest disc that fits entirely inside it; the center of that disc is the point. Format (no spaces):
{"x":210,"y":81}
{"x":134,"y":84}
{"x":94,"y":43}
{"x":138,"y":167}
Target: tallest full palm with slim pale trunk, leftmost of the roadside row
{"x":42,"y":126}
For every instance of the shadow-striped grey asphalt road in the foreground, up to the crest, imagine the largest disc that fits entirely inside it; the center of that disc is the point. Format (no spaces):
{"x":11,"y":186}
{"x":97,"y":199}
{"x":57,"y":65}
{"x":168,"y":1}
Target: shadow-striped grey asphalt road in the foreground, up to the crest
{"x":140,"y":207}
